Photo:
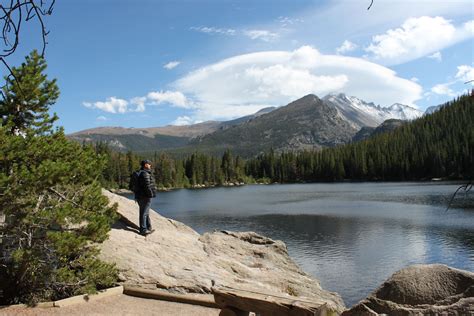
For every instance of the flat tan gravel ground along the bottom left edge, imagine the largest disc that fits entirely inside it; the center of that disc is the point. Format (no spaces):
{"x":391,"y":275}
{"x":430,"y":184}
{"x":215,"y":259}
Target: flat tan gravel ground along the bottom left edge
{"x":117,"y":305}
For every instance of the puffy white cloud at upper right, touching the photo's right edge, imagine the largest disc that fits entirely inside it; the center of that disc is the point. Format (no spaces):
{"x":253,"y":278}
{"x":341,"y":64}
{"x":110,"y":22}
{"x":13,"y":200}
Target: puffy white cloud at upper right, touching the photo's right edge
{"x":417,"y":37}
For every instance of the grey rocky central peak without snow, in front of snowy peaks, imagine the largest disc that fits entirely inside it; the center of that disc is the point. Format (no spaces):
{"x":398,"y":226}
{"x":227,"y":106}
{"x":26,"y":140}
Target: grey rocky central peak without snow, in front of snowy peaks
{"x":307,"y":123}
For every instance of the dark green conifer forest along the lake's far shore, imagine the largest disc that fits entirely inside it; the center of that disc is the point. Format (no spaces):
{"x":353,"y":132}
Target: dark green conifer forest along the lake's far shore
{"x":437,"y":145}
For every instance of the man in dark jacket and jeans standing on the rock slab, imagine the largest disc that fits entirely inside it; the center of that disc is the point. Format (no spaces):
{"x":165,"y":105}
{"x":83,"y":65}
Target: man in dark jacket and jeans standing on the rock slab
{"x":147,"y":191}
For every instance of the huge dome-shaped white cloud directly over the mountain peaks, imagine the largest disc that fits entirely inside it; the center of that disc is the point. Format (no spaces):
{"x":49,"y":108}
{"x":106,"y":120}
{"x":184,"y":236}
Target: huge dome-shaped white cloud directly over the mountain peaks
{"x":244,"y":84}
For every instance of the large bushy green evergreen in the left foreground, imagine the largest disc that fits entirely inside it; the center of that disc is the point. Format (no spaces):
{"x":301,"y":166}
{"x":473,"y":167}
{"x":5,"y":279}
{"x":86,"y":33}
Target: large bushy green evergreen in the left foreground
{"x":51,"y":200}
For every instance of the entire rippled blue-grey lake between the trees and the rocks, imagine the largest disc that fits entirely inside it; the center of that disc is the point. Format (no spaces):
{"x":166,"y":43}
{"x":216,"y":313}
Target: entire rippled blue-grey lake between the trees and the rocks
{"x":350,"y":236}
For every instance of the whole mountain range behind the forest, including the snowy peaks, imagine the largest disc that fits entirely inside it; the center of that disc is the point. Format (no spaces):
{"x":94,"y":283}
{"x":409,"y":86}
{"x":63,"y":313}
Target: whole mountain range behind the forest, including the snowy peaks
{"x":307,"y":123}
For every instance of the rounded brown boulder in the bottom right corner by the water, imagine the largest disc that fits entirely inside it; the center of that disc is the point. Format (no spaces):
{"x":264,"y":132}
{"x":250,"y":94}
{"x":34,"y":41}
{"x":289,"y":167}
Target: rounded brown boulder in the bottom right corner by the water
{"x":433,"y":289}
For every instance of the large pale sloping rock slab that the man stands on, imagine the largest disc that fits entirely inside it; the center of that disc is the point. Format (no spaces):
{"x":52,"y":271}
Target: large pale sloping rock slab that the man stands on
{"x":178,"y":259}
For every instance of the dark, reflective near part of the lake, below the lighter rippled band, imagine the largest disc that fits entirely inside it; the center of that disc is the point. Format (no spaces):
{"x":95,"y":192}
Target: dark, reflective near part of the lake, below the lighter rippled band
{"x":348,"y":255}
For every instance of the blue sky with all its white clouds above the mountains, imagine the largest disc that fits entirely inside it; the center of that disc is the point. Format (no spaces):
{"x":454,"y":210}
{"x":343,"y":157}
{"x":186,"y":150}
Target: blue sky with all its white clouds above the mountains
{"x":144,"y":63}
